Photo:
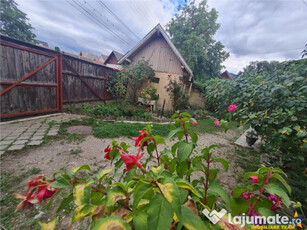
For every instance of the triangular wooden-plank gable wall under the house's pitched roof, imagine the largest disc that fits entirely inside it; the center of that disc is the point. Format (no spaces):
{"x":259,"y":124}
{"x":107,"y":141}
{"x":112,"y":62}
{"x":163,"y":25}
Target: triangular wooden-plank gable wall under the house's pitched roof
{"x":159,"y":55}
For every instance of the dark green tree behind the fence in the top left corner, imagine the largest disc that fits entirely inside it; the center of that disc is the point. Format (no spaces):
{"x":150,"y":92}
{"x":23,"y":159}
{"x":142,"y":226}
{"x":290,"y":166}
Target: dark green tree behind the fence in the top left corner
{"x":13,"y":22}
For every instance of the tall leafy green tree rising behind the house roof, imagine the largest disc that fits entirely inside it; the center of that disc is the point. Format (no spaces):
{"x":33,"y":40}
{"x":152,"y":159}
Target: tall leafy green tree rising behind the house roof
{"x":192,"y":31}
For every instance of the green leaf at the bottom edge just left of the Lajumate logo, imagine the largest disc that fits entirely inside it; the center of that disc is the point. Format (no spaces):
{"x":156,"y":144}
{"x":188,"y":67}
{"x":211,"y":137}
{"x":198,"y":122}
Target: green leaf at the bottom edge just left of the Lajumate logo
{"x":190,"y":221}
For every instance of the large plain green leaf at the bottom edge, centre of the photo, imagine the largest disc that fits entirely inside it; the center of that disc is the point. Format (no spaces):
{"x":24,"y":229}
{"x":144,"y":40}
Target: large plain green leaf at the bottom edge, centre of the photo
{"x":160,"y":213}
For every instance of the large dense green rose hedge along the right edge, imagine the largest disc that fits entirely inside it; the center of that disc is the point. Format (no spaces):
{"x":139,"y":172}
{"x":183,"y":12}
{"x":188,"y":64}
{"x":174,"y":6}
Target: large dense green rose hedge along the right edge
{"x":273,"y":102}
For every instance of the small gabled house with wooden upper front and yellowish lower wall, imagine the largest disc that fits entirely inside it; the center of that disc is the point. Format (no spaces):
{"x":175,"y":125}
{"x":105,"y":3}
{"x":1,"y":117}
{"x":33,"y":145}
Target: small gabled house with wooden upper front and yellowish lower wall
{"x":158,"y":50}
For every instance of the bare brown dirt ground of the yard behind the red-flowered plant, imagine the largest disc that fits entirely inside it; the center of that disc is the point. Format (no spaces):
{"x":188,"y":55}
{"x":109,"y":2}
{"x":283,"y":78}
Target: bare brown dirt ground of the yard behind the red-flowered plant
{"x":60,"y":155}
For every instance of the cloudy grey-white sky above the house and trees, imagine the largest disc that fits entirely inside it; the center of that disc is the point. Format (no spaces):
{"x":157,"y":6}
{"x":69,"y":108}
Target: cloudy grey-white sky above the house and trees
{"x":250,"y":29}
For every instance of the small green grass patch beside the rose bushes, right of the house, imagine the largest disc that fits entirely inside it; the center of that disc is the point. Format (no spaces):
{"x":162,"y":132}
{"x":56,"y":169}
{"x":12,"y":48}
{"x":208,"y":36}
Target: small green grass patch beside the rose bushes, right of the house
{"x":207,"y":126}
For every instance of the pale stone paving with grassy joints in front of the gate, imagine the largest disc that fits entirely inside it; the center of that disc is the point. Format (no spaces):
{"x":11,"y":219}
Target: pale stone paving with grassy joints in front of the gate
{"x":18,"y":134}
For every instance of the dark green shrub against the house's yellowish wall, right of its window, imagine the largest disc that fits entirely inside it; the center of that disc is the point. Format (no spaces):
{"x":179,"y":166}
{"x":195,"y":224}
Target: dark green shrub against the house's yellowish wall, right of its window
{"x":178,"y":95}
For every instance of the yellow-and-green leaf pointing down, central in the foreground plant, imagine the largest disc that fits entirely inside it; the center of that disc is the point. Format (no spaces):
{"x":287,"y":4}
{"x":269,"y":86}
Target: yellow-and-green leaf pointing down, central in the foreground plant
{"x":171,"y":192}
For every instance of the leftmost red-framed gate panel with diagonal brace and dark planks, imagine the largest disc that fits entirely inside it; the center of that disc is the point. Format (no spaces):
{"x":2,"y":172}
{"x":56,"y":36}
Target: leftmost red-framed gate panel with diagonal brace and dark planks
{"x":32,"y":85}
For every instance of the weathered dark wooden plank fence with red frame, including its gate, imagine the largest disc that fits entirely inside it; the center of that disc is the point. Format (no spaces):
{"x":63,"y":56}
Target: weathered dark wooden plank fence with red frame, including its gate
{"x":35,"y":79}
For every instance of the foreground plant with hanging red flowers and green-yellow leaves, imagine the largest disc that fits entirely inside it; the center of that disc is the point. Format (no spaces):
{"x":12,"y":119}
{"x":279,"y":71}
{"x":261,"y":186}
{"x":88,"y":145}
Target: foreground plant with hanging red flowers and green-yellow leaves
{"x":155,"y":191}
